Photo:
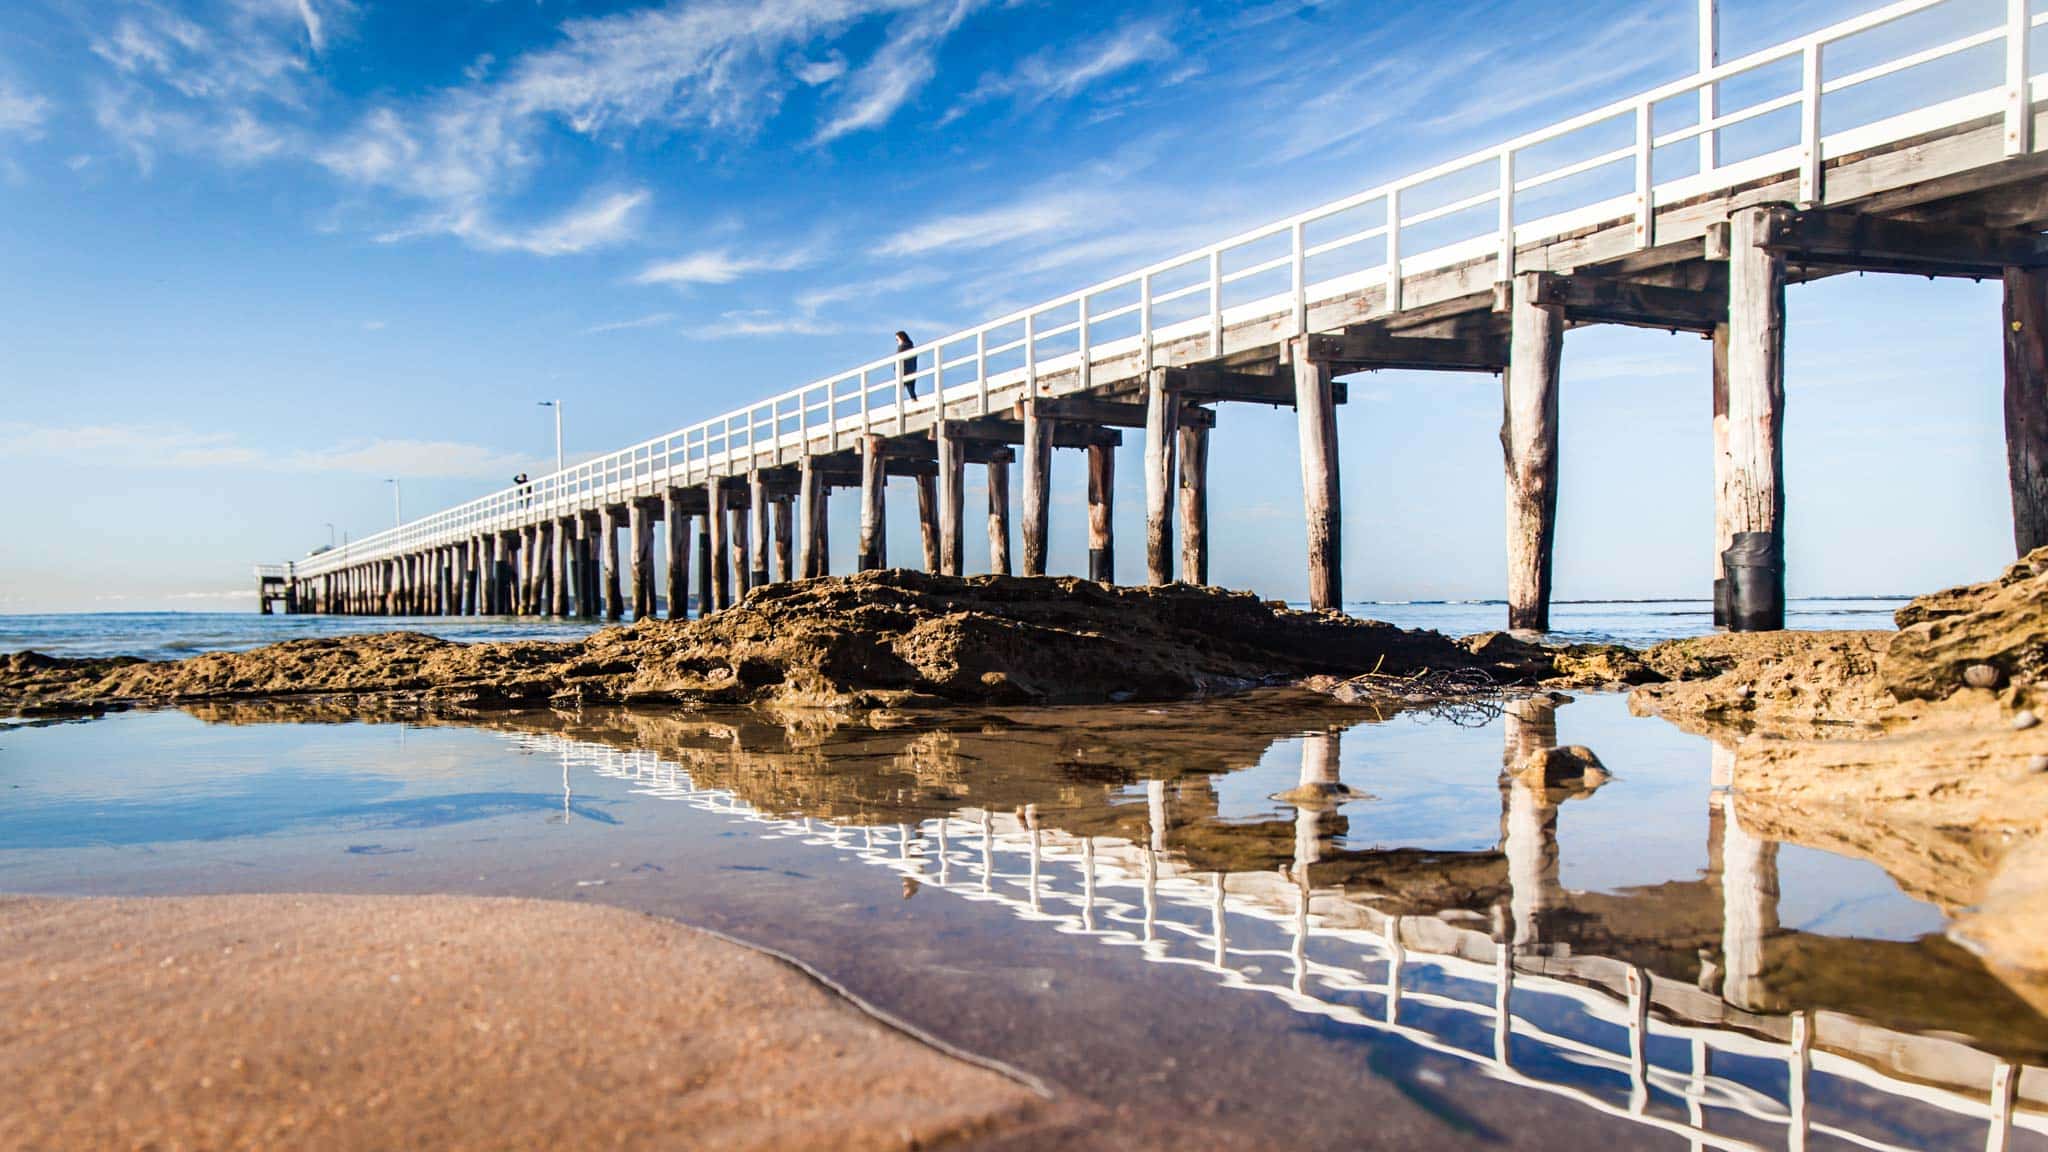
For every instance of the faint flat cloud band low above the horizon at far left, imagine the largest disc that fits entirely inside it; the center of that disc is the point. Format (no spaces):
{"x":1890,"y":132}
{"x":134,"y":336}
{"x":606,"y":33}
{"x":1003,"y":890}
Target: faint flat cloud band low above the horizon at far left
{"x":177,"y":448}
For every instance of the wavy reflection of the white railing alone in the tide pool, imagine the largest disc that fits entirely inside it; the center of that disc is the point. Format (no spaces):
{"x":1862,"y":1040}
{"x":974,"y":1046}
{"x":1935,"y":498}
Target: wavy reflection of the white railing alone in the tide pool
{"x":1412,"y":981}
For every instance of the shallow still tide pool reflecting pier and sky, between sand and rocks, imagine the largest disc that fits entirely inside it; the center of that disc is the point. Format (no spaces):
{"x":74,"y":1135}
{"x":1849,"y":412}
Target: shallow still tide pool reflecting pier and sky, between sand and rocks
{"x":1115,"y":901}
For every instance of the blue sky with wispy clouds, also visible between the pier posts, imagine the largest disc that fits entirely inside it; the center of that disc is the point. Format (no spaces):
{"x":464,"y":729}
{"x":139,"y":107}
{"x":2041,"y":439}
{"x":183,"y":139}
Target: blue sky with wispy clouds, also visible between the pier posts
{"x":261,"y":255}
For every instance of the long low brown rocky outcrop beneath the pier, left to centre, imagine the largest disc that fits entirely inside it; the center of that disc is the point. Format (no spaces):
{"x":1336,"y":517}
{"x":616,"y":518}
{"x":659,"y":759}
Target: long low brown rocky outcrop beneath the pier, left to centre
{"x":876,"y":639}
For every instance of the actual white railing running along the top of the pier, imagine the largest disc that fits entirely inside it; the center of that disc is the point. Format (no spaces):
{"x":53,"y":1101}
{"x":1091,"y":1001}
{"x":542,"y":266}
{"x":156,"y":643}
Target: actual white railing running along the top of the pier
{"x":1592,"y":169}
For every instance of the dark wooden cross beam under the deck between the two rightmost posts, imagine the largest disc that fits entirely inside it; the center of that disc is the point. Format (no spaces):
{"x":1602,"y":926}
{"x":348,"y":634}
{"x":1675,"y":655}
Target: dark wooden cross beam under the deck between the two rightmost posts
{"x":1854,"y":241}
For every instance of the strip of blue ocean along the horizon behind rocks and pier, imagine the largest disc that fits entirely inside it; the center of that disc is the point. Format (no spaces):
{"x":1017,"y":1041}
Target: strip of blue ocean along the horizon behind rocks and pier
{"x":171,"y":636}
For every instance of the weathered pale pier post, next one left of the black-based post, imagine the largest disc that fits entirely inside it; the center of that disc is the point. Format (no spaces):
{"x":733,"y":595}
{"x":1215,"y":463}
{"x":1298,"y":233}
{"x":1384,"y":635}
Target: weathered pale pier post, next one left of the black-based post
{"x":1529,"y":444}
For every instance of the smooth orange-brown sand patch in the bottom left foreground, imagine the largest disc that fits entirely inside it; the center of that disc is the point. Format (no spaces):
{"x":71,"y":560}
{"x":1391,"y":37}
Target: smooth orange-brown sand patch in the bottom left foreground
{"x":374,"y":1022}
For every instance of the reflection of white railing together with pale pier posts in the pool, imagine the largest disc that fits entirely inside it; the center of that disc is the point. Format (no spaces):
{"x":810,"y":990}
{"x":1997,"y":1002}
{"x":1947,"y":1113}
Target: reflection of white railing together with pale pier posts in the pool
{"x":1572,"y":1026}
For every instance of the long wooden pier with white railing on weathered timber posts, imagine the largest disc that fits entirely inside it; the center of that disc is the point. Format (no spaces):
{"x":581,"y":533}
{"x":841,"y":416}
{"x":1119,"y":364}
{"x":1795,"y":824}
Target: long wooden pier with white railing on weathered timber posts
{"x":1668,"y":233}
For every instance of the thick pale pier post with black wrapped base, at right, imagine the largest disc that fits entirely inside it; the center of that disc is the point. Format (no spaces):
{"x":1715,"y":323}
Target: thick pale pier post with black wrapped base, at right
{"x":1752,"y":499}
